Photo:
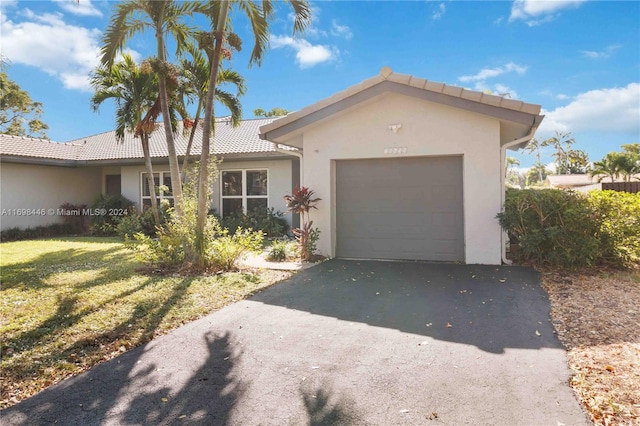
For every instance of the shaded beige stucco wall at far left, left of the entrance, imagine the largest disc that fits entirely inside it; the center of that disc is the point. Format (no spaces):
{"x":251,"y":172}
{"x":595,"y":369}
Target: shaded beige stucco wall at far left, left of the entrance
{"x":25,"y":186}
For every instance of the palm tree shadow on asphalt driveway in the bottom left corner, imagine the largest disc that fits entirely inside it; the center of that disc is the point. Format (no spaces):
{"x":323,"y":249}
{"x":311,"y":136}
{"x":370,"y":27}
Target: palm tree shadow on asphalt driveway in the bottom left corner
{"x":144,"y":387}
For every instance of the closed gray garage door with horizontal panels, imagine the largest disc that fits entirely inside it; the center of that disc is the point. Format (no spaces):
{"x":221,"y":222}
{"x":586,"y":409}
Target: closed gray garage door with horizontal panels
{"x":405,"y":208}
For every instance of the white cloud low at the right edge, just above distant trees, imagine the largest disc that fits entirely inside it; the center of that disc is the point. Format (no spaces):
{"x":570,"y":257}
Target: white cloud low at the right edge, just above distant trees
{"x":607,"y":110}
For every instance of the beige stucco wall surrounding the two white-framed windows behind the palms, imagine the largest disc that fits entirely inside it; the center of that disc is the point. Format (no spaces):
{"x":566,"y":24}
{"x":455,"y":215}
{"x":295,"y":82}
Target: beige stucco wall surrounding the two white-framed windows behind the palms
{"x":279,"y":180}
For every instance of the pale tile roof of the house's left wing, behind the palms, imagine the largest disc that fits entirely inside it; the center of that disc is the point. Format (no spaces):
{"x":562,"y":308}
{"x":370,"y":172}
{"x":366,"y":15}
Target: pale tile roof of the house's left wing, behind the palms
{"x":228,"y":141}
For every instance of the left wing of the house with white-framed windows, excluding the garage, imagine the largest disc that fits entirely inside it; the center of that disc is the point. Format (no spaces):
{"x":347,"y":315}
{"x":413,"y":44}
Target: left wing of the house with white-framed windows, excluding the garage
{"x":39,"y":174}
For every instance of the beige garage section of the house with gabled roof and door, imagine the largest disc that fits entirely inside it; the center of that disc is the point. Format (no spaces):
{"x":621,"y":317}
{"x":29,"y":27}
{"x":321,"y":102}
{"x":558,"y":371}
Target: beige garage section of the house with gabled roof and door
{"x":407,"y":168}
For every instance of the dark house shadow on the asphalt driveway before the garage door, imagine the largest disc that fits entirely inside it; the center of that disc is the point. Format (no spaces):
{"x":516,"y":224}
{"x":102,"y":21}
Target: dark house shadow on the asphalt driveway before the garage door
{"x":490,"y":307}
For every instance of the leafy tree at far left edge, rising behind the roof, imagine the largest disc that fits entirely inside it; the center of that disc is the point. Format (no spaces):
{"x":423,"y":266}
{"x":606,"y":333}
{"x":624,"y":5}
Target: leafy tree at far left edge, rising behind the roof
{"x":19,"y":114}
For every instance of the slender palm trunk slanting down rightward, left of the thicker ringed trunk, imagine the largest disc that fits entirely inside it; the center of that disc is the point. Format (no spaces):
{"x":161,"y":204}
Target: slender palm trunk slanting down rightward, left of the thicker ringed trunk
{"x":174,"y":166}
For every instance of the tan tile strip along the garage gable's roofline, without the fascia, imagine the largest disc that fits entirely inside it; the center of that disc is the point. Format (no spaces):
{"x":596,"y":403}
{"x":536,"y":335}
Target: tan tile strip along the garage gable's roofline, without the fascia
{"x":387,"y":74}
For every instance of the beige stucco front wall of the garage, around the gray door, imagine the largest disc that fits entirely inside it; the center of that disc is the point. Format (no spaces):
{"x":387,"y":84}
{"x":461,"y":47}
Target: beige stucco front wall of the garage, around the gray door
{"x":428,"y":129}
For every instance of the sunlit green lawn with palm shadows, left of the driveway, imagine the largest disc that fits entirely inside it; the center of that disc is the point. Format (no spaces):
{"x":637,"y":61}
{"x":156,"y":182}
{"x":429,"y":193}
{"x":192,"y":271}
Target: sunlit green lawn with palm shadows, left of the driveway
{"x":68,"y":304}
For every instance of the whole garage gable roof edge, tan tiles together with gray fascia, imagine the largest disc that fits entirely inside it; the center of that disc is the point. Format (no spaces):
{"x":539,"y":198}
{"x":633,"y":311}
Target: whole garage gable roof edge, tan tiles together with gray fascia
{"x":510,"y":110}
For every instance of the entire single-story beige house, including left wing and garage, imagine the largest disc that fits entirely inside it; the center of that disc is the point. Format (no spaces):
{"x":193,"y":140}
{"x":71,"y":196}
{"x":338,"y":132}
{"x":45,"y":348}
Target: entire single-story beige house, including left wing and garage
{"x":407,"y":169}
